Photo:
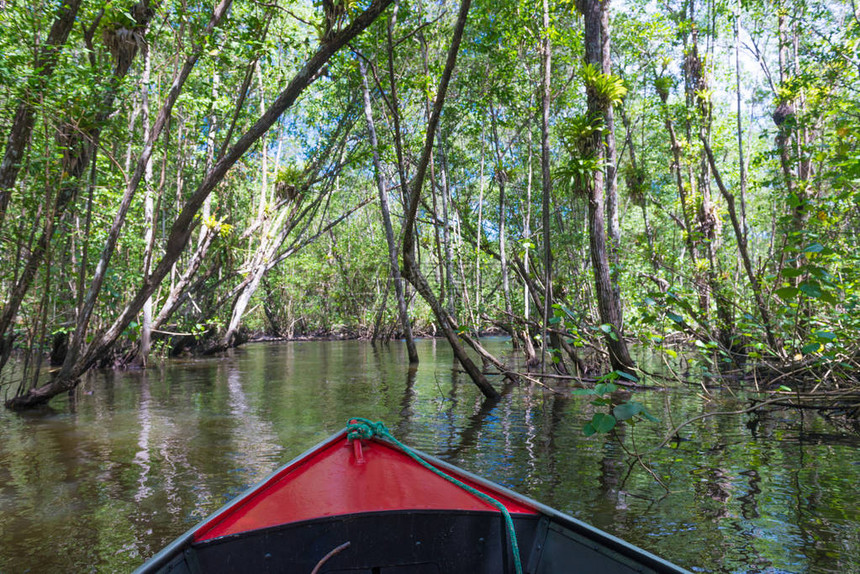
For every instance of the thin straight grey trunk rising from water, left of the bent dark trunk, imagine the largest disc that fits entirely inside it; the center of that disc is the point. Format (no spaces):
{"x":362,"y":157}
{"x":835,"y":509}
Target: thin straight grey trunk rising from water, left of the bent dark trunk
{"x":393,"y":257}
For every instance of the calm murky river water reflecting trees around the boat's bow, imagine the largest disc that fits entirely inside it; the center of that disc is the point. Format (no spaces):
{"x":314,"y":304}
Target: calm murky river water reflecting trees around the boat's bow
{"x":100,"y":482}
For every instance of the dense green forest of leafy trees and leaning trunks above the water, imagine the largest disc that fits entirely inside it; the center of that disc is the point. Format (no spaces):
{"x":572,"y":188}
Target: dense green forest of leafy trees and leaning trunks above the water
{"x":591,"y":178}
